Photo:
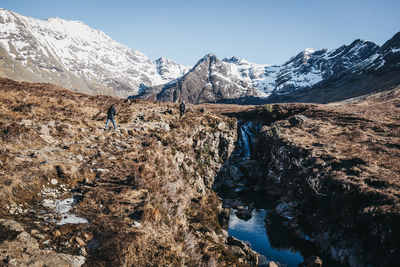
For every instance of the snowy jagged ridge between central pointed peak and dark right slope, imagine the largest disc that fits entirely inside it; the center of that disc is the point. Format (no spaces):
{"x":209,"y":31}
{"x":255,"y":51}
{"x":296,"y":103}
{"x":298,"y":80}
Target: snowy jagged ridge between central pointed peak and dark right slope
{"x":306,"y":69}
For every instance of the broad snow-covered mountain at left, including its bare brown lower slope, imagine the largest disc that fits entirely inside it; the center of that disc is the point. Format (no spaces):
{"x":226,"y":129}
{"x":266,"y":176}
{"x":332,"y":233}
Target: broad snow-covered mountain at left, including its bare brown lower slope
{"x":71,"y":54}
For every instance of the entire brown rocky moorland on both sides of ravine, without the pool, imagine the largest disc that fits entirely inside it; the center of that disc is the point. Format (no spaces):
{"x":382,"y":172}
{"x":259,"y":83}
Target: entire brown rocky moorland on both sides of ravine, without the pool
{"x":155,"y":191}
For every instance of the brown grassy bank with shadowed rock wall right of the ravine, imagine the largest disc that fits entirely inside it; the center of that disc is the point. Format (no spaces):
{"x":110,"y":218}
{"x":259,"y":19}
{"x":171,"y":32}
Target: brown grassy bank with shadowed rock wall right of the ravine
{"x":335,"y":169}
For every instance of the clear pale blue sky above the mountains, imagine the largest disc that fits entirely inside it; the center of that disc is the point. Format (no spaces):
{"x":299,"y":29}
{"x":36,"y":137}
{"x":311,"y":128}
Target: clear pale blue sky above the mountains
{"x":261,"y":31}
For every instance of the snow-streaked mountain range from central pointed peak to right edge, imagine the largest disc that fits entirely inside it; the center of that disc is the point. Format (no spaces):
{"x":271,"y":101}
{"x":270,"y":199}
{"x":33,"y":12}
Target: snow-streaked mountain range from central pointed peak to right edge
{"x":234,"y":79}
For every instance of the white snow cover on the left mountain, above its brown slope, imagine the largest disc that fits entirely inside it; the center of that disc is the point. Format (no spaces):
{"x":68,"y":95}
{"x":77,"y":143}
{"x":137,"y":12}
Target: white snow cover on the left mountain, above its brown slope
{"x":90,"y":54}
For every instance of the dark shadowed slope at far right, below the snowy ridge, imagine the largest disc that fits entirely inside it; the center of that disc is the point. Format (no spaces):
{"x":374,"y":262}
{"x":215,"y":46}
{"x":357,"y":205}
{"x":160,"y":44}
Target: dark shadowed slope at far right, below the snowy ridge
{"x":380,"y":71}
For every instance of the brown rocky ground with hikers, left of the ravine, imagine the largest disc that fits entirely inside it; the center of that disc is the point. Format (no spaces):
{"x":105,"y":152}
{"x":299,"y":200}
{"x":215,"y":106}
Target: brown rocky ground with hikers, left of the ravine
{"x":123,"y":197}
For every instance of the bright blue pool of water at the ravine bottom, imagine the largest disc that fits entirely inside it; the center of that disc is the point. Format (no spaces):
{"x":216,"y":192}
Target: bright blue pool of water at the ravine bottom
{"x":254,"y":232}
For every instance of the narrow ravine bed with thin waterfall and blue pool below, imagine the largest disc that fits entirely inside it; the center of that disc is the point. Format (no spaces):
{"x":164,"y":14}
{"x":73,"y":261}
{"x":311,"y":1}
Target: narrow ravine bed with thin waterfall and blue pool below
{"x":252,"y":216}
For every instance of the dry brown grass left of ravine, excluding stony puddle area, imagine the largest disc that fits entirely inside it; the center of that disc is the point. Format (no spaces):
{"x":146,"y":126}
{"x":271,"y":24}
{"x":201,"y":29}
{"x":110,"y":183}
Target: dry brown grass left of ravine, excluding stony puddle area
{"x":154,"y":172}
